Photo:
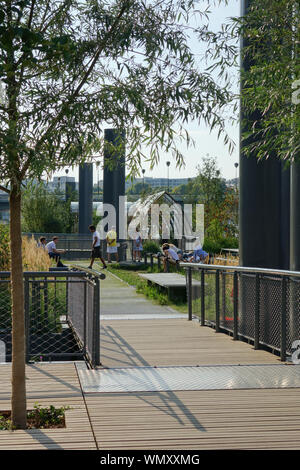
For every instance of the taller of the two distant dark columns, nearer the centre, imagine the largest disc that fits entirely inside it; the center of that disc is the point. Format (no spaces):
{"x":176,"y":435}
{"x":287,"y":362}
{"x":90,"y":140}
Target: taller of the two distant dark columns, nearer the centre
{"x":114,"y":173}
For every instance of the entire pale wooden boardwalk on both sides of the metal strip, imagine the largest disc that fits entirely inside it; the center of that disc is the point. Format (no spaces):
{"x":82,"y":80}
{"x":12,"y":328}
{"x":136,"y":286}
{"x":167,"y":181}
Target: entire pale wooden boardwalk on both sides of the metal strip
{"x":188,"y":419}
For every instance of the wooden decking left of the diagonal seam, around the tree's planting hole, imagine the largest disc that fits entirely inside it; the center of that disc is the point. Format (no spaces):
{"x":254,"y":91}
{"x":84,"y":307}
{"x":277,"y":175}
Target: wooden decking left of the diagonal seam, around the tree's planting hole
{"x":49,"y":384}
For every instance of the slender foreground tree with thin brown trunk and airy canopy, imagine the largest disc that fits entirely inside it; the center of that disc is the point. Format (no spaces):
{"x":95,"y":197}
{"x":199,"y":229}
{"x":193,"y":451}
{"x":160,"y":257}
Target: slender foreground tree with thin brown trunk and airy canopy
{"x":67,"y":69}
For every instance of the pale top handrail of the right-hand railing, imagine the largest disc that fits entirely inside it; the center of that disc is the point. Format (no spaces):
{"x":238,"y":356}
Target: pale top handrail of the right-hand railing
{"x":218,"y":267}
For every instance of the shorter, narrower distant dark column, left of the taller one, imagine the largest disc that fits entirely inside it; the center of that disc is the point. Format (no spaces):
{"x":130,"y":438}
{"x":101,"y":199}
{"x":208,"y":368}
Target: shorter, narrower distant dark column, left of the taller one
{"x":85,"y":197}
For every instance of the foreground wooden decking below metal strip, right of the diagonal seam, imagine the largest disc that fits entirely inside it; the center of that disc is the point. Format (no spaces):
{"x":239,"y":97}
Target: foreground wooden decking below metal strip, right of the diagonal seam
{"x":235,"y":419}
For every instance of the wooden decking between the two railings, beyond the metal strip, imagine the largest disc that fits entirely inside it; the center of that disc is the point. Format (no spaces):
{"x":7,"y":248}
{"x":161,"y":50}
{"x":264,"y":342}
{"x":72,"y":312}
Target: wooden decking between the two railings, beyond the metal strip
{"x":173,"y":342}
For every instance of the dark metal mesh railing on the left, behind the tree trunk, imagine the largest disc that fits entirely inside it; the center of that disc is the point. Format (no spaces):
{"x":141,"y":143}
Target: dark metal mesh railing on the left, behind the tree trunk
{"x":62,"y":311}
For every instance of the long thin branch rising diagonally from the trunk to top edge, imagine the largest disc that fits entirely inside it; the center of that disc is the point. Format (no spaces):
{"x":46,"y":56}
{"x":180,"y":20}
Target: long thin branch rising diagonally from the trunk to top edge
{"x":79,"y":87}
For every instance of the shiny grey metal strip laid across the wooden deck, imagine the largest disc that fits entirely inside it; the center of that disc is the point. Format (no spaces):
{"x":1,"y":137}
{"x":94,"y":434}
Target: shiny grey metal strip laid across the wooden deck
{"x":151,"y":379}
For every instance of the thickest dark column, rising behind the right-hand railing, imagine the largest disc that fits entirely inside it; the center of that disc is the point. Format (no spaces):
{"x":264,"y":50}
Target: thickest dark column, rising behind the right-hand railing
{"x":264,"y":200}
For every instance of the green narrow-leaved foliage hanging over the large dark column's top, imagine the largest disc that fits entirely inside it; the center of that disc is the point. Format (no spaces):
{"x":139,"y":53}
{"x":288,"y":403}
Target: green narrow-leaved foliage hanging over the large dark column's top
{"x":271,"y":83}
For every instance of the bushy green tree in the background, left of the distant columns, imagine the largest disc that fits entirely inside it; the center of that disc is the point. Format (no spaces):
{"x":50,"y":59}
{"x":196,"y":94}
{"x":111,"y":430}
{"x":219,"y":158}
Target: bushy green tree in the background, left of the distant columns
{"x":45,"y":211}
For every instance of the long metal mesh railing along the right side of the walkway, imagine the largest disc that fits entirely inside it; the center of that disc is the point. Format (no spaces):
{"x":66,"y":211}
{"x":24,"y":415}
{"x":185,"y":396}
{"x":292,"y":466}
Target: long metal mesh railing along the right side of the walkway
{"x":261,"y":306}
